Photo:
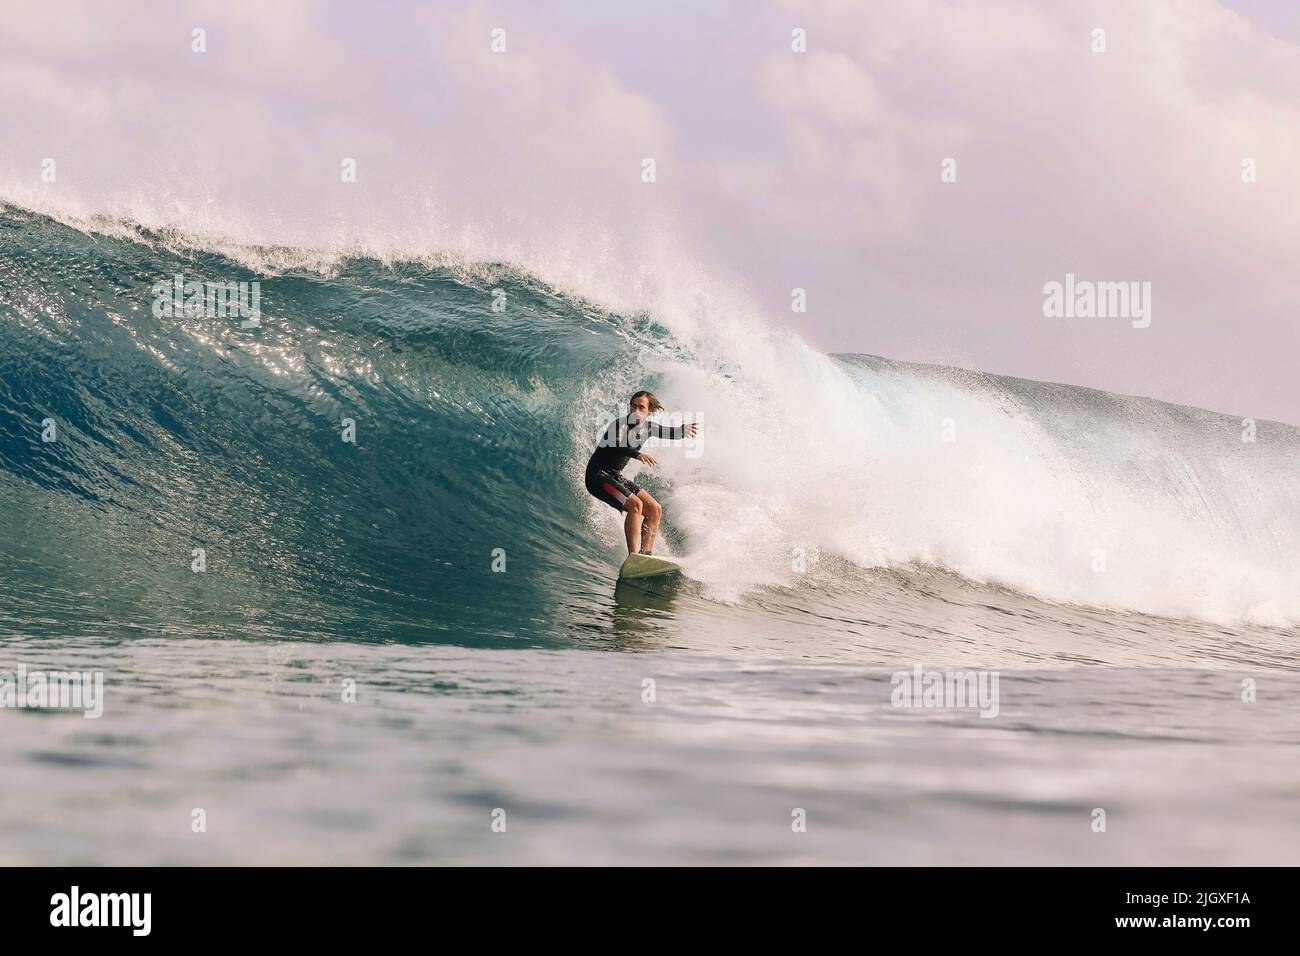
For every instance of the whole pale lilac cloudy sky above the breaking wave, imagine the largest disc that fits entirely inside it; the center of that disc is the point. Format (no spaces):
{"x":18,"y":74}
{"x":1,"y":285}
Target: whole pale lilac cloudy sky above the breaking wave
{"x":775,"y":168}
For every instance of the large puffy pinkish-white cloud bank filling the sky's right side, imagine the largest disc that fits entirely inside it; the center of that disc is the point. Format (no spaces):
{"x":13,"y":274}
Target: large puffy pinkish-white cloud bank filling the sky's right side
{"x":1126,"y":165}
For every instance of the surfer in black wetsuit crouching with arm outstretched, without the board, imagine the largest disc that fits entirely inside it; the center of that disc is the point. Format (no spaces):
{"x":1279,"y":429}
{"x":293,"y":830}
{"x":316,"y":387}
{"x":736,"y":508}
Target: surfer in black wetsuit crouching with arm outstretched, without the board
{"x":619,"y":444}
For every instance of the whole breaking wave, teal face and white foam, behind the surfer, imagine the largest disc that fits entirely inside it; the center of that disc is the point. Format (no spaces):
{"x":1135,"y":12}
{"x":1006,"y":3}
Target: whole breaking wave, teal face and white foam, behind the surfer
{"x":478,"y":391}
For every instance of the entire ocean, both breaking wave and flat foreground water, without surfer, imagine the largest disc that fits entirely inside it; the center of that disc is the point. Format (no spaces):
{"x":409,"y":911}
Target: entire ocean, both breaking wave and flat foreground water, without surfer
{"x":410,"y":648}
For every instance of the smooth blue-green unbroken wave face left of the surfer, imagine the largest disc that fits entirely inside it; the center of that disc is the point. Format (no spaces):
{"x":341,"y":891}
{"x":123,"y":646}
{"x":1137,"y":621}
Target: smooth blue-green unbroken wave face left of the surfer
{"x":177,"y":434}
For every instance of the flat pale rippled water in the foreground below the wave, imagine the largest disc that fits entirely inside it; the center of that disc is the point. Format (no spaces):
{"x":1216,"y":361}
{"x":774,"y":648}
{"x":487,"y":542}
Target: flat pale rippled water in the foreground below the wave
{"x":634,"y":758}
